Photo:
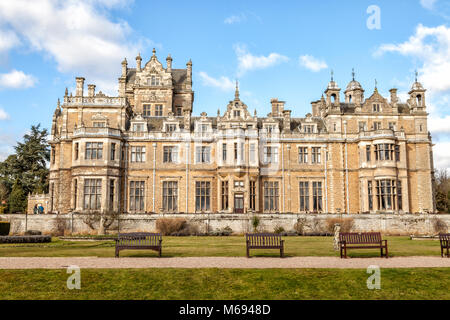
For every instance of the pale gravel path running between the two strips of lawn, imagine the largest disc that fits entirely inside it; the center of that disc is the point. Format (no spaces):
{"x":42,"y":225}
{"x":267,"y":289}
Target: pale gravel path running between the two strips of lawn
{"x":221,"y":262}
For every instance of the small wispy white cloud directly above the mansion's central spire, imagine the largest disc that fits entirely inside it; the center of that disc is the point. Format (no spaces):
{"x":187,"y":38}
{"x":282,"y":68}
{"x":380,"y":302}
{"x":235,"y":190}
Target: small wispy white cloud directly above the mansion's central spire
{"x":247,"y":61}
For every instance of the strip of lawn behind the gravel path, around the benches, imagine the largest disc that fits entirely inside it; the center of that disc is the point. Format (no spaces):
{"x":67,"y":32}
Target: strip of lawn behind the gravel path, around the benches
{"x":232,"y":246}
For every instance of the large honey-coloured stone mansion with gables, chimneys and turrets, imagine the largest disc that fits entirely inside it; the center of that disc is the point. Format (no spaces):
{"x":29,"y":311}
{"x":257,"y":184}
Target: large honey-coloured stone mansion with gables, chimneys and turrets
{"x":144,"y":152}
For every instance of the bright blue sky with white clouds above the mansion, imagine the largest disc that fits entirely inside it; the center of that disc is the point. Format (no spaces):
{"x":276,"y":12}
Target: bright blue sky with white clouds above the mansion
{"x":282,"y":49}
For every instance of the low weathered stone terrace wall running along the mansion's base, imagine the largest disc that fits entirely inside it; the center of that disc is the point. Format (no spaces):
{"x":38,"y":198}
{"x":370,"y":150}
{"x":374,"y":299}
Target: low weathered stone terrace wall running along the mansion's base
{"x":77,"y":223}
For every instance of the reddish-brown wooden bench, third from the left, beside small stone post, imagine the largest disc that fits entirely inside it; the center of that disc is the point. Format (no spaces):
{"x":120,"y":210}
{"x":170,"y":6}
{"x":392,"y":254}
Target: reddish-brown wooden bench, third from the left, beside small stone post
{"x":368,"y":240}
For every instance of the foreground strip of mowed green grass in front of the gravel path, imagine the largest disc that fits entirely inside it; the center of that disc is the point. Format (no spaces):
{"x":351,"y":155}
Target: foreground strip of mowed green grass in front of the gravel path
{"x":217,"y":284}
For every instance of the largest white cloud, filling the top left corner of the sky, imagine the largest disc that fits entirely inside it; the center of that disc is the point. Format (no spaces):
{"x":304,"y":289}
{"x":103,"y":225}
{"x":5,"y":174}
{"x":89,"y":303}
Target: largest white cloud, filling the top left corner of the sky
{"x":78,"y":35}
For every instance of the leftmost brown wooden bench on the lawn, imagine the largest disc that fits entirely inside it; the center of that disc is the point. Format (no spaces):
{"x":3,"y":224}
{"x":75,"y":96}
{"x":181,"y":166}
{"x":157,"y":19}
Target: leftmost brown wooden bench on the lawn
{"x":139,"y":241}
